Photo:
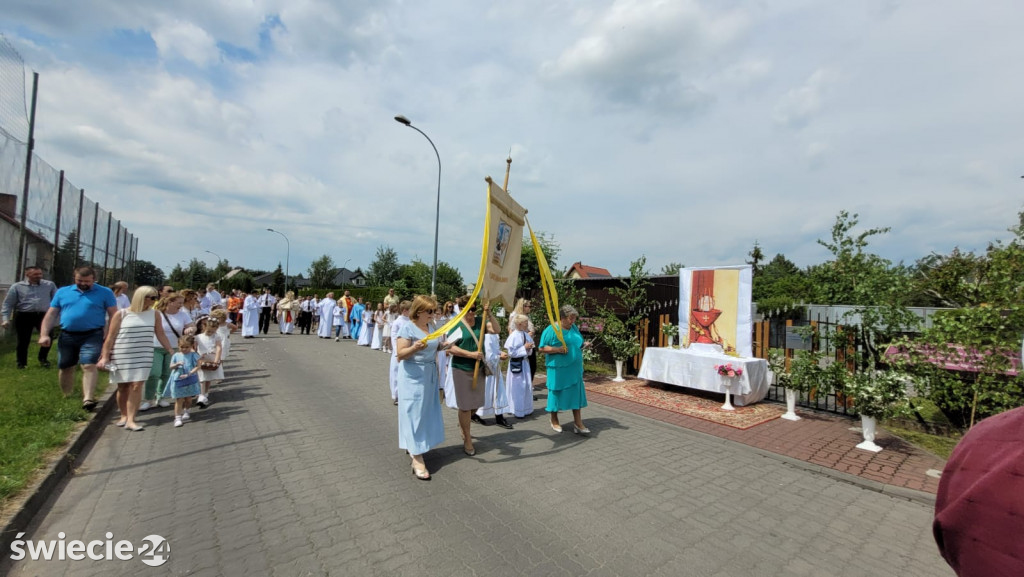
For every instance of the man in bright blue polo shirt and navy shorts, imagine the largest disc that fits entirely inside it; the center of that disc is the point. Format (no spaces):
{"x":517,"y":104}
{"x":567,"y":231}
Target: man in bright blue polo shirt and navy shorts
{"x":83,"y":310}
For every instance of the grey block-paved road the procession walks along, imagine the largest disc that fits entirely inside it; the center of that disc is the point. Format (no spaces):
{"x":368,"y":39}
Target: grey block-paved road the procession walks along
{"x":295,"y":471}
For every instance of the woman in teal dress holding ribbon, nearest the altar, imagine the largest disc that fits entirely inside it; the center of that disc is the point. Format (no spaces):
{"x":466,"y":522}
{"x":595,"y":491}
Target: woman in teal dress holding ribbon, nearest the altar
{"x":565,"y":363}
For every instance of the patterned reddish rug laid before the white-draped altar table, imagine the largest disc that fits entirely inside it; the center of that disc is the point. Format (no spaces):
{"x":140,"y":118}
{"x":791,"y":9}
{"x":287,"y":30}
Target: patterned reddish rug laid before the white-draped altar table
{"x":707,"y":406}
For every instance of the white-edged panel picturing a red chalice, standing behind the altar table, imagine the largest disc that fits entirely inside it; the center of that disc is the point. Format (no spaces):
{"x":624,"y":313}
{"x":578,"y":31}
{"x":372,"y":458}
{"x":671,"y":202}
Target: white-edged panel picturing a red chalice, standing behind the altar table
{"x":715,"y":304}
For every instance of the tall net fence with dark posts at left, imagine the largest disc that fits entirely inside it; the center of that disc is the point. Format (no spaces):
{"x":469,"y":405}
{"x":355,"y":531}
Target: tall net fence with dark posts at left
{"x":63,"y":228}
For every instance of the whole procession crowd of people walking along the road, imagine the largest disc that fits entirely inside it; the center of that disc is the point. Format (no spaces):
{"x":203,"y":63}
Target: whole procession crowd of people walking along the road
{"x":161,"y":346}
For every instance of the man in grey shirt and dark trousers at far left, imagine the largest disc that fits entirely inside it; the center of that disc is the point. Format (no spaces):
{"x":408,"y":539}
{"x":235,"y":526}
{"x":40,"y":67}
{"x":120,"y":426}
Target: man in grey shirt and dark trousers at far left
{"x":28,"y":301}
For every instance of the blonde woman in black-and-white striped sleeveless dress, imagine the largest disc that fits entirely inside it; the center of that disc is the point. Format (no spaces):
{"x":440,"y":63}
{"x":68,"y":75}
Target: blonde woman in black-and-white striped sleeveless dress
{"x":129,"y":352}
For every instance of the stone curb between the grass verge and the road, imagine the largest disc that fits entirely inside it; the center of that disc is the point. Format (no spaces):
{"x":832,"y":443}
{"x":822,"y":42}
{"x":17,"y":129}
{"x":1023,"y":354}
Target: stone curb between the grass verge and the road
{"x":60,"y":468}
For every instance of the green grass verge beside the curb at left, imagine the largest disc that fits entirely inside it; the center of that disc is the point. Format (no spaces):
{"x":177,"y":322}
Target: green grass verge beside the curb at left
{"x":35,"y":419}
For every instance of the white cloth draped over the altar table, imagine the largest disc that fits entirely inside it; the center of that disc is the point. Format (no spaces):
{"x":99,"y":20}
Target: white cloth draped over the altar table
{"x":697,"y":370}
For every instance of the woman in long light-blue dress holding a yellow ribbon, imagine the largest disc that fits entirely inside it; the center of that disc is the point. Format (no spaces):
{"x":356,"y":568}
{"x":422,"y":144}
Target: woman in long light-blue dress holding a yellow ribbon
{"x":420,"y":425}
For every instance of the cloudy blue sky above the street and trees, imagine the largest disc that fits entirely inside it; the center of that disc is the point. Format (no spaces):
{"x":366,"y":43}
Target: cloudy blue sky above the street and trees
{"x":680,"y":131}
